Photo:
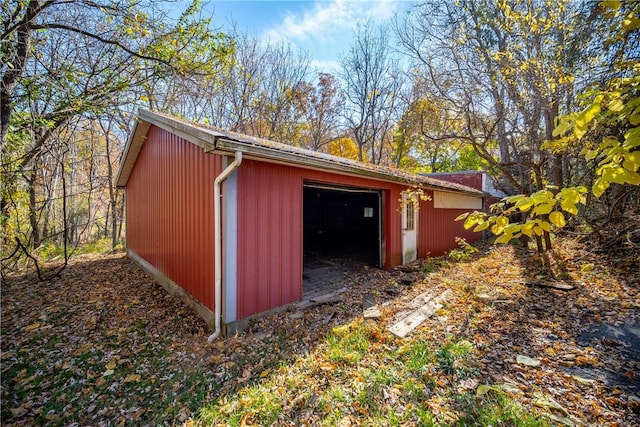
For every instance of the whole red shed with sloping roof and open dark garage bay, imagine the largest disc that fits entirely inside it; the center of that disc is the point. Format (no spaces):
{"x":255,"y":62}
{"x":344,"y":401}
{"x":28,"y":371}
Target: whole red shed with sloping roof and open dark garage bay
{"x":223,"y":220}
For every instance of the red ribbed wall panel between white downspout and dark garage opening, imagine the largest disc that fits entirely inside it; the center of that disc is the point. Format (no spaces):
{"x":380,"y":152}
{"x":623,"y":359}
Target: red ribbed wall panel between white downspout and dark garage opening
{"x":269,"y":239}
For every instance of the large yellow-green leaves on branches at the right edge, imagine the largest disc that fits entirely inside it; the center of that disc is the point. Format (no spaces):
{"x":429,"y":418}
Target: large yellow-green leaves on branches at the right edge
{"x":617,"y":161}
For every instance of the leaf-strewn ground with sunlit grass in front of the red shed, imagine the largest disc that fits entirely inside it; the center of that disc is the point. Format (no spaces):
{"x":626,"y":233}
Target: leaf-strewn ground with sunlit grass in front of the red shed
{"x":105,"y":345}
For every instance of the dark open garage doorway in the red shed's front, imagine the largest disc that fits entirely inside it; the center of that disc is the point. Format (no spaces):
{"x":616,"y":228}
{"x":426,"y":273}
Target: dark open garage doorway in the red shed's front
{"x":341,"y":233}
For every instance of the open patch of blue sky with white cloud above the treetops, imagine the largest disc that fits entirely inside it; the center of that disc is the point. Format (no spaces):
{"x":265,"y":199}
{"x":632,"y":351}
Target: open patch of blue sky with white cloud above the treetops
{"x":323,"y":28}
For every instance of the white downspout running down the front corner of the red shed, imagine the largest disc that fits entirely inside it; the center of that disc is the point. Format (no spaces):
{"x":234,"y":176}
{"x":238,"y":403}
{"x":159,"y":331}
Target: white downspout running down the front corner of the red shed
{"x":217,"y":235}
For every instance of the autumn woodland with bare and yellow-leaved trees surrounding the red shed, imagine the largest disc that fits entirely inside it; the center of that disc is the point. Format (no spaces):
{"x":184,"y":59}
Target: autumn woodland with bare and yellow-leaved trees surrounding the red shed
{"x":542,"y":94}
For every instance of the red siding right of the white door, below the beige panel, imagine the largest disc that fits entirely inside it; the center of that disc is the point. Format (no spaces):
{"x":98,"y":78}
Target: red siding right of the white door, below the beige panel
{"x":437,"y":229}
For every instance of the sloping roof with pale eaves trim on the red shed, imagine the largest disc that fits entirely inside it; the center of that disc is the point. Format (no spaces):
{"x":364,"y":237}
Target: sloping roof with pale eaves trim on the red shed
{"x":215,"y":140}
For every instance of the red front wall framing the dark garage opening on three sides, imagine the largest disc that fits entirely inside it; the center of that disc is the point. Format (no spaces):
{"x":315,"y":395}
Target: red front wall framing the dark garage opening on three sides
{"x":270,"y":231}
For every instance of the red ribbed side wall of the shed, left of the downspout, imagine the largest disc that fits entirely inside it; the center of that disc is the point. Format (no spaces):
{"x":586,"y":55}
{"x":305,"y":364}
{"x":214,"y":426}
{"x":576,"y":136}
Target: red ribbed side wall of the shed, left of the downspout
{"x":170,"y":211}
